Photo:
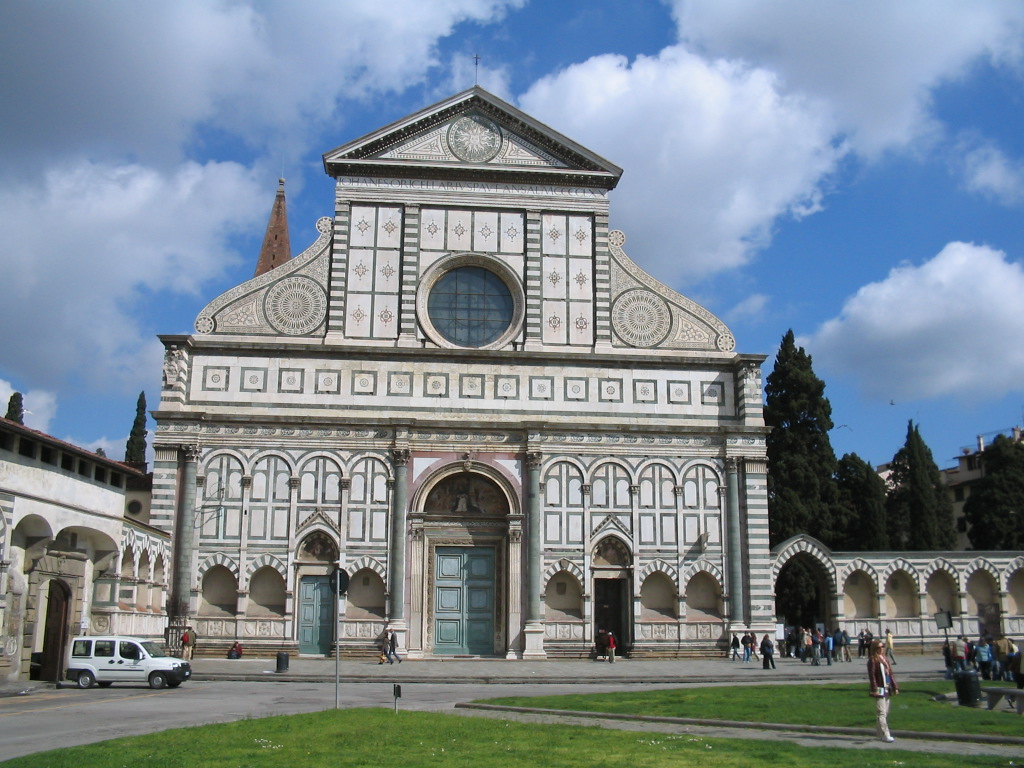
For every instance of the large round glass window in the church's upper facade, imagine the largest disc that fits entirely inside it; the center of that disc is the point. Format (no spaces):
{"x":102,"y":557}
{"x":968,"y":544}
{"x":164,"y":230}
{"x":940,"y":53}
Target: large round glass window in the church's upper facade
{"x":471,"y":307}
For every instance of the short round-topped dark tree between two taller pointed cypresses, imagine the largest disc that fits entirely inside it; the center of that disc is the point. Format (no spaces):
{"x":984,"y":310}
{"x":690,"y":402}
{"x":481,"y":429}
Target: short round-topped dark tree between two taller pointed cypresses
{"x":862,"y":525}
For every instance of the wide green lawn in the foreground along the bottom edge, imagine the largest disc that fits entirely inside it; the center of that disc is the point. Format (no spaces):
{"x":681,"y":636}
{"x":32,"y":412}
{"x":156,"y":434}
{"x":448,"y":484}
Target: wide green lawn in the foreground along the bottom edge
{"x":381,"y":738}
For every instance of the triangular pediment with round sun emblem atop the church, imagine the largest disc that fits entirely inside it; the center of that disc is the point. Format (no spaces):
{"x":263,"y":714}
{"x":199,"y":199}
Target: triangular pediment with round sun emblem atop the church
{"x":474,"y":134}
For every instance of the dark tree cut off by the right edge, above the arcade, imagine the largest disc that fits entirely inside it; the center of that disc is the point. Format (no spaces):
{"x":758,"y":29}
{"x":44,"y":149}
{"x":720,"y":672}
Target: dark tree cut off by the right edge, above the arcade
{"x":995,"y":511}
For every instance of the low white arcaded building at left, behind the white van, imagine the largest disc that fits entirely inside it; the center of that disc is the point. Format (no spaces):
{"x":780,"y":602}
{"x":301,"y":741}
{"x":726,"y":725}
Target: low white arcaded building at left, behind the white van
{"x":77,"y":553}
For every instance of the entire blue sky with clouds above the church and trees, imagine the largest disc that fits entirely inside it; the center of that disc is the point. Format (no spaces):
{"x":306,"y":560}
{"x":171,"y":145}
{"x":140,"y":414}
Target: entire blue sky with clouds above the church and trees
{"x":854,"y":172}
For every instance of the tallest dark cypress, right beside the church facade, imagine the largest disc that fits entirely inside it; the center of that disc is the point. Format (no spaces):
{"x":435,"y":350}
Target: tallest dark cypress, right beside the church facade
{"x":801,"y":460}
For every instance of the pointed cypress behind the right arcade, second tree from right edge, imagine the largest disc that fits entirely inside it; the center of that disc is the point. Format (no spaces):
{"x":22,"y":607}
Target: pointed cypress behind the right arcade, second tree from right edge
{"x":918,"y":509}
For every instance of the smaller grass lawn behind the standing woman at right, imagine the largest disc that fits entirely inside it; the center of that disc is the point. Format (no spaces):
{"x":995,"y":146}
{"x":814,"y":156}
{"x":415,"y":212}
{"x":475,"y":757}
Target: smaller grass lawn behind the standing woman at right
{"x":839,"y":705}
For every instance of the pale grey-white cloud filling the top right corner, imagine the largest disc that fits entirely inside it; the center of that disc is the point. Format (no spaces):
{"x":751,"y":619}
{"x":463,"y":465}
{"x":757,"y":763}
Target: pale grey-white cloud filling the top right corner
{"x":876,"y":63}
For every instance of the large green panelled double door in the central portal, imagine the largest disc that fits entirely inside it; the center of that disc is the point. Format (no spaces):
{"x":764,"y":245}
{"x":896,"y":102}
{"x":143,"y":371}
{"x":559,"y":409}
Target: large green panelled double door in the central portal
{"x":464,"y":601}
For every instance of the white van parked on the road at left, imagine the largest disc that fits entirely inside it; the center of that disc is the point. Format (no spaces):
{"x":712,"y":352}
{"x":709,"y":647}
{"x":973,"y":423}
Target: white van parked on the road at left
{"x":123,"y":660}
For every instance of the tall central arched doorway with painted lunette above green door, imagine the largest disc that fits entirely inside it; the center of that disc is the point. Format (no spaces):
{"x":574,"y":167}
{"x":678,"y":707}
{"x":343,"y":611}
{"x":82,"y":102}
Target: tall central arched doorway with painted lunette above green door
{"x":464,"y":527}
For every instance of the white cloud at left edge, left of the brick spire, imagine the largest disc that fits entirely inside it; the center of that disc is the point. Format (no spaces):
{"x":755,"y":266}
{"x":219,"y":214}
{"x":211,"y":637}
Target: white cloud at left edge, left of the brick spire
{"x":87,"y":247}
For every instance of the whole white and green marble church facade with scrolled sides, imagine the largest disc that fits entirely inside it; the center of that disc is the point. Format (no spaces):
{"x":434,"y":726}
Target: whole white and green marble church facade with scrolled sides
{"x":468,"y":396}
